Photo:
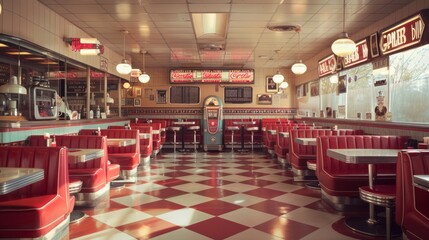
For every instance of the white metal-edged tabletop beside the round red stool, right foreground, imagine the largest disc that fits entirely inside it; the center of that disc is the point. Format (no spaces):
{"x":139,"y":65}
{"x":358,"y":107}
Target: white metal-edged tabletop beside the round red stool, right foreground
{"x":357,"y":155}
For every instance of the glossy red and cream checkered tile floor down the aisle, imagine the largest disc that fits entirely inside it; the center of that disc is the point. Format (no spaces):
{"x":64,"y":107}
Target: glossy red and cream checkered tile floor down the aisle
{"x":198,"y":196}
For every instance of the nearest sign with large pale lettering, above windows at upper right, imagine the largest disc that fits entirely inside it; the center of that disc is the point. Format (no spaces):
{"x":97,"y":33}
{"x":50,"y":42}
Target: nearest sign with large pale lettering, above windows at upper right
{"x":403,"y":35}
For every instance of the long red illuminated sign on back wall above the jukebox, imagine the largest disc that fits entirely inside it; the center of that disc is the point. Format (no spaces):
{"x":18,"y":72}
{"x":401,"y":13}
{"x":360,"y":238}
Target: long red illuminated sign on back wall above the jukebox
{"x":212,"y":76}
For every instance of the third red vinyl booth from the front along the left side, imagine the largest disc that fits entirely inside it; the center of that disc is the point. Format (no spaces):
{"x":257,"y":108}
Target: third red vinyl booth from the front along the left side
{"x":127,"y":157}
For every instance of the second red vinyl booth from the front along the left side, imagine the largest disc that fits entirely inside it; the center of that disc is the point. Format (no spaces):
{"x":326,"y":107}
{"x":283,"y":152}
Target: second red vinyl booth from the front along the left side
{"x":95,"y":174}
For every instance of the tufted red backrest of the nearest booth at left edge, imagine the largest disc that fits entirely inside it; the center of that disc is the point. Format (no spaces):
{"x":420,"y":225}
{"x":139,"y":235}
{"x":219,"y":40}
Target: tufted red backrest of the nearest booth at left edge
{"x":54,"y":162}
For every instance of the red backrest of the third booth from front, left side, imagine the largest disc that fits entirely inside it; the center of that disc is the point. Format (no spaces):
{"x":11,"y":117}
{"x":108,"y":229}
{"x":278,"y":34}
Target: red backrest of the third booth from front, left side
{"x":118,"y":133}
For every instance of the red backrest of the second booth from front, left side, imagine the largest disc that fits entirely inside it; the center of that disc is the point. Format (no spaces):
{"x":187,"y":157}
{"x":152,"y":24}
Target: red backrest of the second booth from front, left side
{"x":76,"y":141}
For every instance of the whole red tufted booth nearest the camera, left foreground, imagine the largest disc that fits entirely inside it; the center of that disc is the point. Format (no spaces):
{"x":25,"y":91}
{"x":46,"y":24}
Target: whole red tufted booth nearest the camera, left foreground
{"x":35,"y":210}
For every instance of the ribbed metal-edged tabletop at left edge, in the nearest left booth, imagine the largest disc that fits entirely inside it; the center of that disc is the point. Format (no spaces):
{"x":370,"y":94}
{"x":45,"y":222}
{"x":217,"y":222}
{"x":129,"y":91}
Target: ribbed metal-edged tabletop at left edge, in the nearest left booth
{"x":12,"y":179}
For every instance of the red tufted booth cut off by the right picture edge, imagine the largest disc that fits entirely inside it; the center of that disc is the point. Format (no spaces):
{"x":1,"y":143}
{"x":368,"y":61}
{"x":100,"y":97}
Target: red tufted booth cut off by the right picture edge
{"x":412,"y":209}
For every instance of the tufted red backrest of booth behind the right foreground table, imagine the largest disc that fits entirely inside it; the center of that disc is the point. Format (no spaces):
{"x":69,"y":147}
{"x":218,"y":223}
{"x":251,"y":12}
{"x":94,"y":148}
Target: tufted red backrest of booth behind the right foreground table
{"x":330,"y":165}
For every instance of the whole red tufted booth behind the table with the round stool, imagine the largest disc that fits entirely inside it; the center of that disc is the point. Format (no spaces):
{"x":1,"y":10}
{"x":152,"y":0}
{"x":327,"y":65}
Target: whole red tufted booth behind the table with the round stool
{"x":342,"y":179}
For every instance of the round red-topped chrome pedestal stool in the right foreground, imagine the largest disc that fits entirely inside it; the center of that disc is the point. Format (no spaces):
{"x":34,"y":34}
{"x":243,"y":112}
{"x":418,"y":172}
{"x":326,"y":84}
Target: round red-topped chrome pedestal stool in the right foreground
{"x":381,"y":195}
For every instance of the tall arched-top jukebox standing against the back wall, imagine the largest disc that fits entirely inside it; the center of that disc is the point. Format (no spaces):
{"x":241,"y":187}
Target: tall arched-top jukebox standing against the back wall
{"x":213,"y":123}
